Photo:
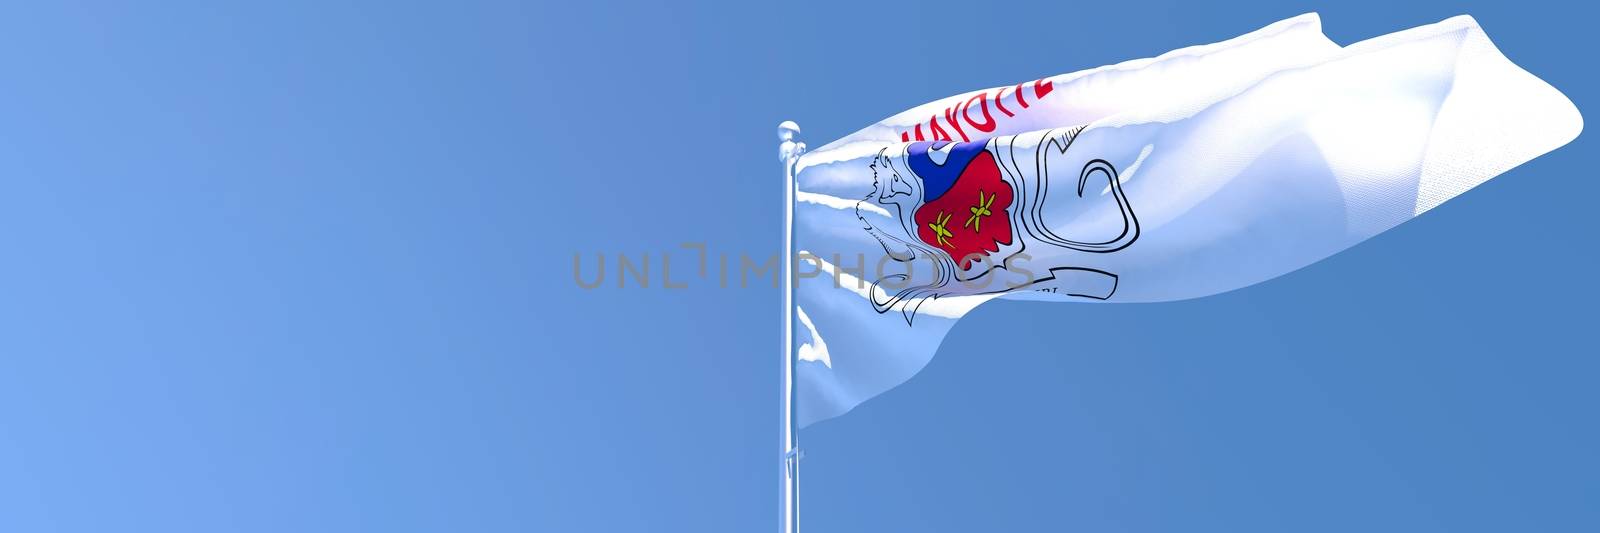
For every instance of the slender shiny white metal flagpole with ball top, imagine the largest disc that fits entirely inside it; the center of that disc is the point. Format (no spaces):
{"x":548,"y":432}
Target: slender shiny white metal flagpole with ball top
{"x":790,"y":151}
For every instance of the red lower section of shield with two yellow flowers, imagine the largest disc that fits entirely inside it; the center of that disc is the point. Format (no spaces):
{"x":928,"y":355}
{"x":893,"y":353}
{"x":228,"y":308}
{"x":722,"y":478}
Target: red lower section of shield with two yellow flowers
{"x":970,"y":220}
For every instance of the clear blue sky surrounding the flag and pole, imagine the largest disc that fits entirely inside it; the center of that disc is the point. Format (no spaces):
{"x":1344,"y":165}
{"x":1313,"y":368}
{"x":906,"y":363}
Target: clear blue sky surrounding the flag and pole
{"x":308,"y":266}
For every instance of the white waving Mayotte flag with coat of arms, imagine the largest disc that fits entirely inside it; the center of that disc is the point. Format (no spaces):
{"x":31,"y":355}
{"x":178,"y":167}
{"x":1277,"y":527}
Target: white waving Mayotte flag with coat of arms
{"x":1193,"y":174}
